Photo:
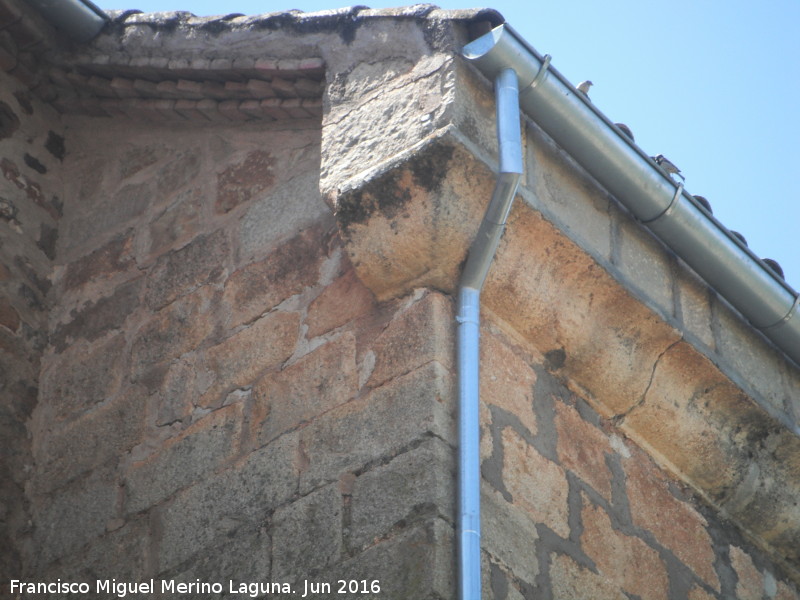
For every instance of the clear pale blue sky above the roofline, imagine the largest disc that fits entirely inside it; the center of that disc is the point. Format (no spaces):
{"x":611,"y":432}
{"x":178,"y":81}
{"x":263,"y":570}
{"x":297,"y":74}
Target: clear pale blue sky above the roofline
{"x":713,"y":85}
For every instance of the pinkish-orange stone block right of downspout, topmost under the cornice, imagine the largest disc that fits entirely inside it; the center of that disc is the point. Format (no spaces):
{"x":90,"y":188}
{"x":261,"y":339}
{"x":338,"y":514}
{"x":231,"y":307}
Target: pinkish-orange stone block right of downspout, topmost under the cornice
{"x":506,"y":380}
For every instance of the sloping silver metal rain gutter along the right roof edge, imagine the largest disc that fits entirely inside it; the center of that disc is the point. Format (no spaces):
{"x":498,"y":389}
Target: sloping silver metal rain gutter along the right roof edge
{"x":768,"y":302}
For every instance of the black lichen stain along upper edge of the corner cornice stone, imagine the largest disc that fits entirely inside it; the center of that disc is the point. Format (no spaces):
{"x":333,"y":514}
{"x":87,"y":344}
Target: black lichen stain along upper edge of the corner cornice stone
{"x":390,"y":193}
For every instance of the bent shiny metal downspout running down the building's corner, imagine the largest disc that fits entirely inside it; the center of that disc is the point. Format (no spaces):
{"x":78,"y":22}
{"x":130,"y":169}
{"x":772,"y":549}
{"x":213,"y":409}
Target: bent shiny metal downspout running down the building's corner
{"x":479,"y":259}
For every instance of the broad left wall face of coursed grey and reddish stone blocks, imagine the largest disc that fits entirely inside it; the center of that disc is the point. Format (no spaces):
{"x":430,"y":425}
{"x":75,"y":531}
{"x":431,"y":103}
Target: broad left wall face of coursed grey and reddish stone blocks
{"x":221,"y":397}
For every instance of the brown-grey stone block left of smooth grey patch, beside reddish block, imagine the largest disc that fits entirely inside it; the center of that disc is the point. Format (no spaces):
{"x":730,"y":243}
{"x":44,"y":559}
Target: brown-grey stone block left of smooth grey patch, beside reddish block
{"x":177,"y":273}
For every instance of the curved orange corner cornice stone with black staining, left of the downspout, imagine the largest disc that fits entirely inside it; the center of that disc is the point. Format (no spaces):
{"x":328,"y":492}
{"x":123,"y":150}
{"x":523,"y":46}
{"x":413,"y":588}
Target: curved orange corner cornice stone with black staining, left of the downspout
{"x":412,"y":215}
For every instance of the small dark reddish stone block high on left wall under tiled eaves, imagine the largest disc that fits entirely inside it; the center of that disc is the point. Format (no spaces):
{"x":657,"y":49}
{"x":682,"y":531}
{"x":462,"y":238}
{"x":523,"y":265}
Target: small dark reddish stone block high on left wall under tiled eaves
{"x":248,"y":179}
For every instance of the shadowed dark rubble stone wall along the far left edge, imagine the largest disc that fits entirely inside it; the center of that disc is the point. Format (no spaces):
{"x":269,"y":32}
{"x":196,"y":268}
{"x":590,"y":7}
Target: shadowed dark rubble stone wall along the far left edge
{"x":31,"y":151}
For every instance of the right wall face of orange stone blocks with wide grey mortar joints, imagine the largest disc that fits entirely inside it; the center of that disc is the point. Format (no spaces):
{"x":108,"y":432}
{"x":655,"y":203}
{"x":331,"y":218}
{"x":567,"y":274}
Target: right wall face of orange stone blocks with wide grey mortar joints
{"x":574,"y":509}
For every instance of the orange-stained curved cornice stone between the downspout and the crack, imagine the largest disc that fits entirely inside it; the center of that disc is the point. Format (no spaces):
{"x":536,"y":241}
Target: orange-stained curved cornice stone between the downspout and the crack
{"x":610,"y":340}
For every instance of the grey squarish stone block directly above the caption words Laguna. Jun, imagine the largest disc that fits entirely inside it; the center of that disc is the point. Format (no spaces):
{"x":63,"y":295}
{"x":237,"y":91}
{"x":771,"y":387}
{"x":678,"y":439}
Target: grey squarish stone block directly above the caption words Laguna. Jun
{"x":307,"y":535}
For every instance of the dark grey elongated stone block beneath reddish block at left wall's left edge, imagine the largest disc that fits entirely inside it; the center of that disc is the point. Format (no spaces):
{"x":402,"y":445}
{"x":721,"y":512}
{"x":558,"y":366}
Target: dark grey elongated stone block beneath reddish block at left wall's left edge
{"x":96,"y":318}
